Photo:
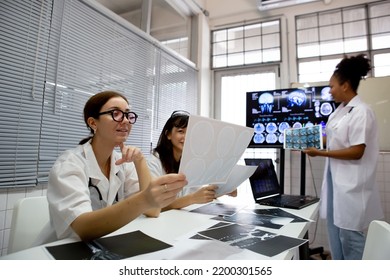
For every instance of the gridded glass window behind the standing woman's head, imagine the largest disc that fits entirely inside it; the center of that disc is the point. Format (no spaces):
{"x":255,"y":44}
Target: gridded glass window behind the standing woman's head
{"x":321,"y":36}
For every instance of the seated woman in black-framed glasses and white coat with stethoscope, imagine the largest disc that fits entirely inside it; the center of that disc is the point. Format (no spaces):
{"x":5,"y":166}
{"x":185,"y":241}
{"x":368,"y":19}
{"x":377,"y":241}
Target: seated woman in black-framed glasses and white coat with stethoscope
{"x":93,"y":189}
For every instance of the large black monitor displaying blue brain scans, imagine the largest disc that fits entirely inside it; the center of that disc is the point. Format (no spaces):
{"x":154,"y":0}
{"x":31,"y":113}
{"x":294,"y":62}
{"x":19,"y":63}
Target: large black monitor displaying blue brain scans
{"x":271,"y":112}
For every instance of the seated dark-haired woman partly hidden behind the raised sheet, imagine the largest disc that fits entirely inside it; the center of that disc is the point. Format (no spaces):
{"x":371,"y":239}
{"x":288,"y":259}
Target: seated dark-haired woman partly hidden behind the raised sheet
{"x":166,"y":156}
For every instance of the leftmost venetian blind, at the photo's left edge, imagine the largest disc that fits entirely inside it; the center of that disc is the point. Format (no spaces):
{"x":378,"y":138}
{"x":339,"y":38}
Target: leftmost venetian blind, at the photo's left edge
{"x":24,"y":33}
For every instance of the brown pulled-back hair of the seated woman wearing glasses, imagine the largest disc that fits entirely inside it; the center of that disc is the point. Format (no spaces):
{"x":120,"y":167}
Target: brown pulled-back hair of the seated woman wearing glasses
{"x":93,"y":107}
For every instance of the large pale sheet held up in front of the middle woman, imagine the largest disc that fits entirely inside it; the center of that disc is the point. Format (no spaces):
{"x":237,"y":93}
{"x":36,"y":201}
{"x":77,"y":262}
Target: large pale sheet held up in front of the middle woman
{"x":212,"y":149}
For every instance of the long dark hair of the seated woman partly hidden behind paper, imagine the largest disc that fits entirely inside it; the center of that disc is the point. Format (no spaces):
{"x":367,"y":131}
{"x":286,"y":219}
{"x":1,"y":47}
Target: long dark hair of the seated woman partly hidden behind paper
{"x":164,"y":147}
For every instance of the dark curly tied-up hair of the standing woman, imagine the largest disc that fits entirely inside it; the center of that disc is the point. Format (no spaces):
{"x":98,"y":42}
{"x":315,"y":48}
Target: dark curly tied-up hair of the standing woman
{"x":352,"y":69}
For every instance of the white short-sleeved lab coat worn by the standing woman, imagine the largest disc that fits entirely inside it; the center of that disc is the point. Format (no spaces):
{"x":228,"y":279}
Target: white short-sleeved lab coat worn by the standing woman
{"x":356,"y":200}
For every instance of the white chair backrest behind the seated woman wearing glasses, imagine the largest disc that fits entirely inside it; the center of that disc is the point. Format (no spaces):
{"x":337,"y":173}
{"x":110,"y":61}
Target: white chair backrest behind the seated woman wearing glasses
{"x":30,"y":216}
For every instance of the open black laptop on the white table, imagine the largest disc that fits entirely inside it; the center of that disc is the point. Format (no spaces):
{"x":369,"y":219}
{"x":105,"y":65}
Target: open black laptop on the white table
{"x":267,"y":190}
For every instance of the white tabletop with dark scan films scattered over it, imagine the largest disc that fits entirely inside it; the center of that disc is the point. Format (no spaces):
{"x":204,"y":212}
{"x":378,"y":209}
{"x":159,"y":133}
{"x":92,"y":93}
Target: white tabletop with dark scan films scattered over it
{"x":176,"y":226}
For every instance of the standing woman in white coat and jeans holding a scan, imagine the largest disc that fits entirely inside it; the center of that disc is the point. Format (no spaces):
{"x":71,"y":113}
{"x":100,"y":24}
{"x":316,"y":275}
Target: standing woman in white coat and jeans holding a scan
{"x":350,"y":197}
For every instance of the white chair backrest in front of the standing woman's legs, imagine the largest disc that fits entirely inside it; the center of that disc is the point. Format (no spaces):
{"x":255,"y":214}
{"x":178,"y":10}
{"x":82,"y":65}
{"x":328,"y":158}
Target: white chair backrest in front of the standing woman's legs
{"x":378,"y":241}
